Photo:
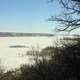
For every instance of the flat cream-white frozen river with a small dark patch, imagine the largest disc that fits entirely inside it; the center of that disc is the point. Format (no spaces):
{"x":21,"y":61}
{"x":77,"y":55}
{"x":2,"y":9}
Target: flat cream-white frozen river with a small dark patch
{"x":11,"y":47}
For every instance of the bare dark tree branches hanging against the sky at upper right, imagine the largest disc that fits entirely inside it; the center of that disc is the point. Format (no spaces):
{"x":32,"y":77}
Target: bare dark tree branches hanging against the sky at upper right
{"x":70,"y":19}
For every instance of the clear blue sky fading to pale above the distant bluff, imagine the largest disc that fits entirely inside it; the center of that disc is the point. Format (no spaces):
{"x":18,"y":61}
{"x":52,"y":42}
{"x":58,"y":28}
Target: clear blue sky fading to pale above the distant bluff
{"x":27,"y":16}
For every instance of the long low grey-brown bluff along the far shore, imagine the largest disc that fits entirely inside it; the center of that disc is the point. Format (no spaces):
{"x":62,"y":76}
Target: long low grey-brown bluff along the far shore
{"x":13,"y":34}
